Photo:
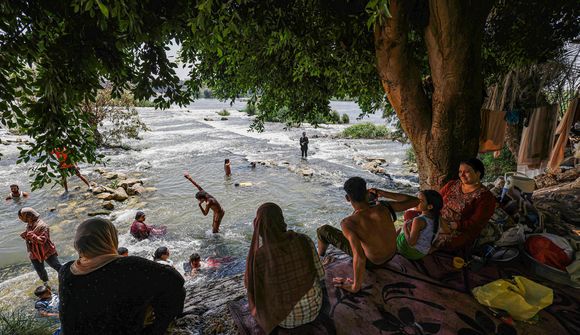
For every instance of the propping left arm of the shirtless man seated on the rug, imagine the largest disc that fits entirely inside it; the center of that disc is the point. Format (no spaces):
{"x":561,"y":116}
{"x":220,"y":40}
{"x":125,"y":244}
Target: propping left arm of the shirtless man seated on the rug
{"x":358,"y":259}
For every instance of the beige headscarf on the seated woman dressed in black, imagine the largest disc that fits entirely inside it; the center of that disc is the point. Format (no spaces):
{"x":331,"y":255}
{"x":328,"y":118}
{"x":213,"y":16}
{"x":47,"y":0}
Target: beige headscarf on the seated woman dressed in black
{"x":96,"y":242}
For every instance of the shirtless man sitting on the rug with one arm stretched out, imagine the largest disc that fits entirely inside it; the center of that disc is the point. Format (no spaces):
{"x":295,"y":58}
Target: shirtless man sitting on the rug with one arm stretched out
{"x":368,"y":233}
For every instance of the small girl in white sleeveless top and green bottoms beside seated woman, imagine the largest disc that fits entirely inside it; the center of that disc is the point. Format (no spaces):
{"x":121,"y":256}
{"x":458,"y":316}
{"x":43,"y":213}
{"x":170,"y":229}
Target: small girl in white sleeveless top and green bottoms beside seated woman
{"x":416,"y":236}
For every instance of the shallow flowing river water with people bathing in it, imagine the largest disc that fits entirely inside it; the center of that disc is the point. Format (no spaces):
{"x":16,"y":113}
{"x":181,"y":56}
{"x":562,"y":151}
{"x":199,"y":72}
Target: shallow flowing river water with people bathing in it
{"x":180,"y":140}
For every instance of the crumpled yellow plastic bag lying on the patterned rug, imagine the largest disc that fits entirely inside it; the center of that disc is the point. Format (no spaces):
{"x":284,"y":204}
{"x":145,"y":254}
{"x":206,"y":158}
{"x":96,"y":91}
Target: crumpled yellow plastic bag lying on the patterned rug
{"x":520,"y":297}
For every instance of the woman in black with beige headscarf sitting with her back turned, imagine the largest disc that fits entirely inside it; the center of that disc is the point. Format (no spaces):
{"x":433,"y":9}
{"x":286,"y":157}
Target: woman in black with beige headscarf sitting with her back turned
{"x":104,"y":293}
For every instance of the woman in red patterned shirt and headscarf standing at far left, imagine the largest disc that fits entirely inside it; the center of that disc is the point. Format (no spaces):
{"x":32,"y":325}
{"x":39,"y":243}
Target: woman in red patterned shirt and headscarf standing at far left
{"x":40,"y":247}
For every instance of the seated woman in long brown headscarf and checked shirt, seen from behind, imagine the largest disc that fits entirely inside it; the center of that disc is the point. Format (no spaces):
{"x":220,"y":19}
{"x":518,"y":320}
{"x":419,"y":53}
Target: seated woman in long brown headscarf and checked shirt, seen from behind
{"x":283,"y":273}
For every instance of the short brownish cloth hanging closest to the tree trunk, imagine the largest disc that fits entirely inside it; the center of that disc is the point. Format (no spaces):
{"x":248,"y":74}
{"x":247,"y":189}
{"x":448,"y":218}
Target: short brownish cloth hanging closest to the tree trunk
{"x":493,"y":127}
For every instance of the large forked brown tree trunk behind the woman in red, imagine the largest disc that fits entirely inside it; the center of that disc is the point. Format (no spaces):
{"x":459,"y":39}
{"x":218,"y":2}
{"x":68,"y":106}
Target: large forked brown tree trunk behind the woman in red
{"x":445,"y":130}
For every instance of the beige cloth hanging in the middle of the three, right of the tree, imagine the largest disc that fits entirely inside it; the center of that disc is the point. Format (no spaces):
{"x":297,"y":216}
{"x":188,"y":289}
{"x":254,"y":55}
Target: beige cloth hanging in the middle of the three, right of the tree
{"x":538,"y":137}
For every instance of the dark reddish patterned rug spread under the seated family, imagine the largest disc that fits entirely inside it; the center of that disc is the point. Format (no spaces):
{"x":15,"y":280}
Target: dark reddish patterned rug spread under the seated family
{"x":425,"y":297}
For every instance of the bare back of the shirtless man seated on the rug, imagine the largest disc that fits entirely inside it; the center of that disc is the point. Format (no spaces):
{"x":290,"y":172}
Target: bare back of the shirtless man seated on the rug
{"x":375,"y":230}
